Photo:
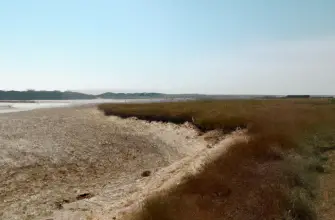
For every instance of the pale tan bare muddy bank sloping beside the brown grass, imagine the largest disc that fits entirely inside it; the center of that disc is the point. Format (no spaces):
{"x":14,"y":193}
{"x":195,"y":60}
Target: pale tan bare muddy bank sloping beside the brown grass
{"x":49,"y":157}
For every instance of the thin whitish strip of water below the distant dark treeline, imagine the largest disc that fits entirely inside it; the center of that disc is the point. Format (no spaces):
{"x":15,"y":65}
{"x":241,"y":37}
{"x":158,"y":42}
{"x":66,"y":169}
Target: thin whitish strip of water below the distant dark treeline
{"x":6,"y":107}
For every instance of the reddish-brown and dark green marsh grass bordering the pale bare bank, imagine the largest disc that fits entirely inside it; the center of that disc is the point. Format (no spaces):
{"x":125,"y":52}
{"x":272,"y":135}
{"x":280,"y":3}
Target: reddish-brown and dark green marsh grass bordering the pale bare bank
{"x":272,"y":176}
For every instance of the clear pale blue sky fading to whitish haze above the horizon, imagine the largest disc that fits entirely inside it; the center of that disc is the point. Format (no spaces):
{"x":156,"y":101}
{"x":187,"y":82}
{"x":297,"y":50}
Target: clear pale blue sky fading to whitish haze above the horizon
{"x":174,"y":46}
